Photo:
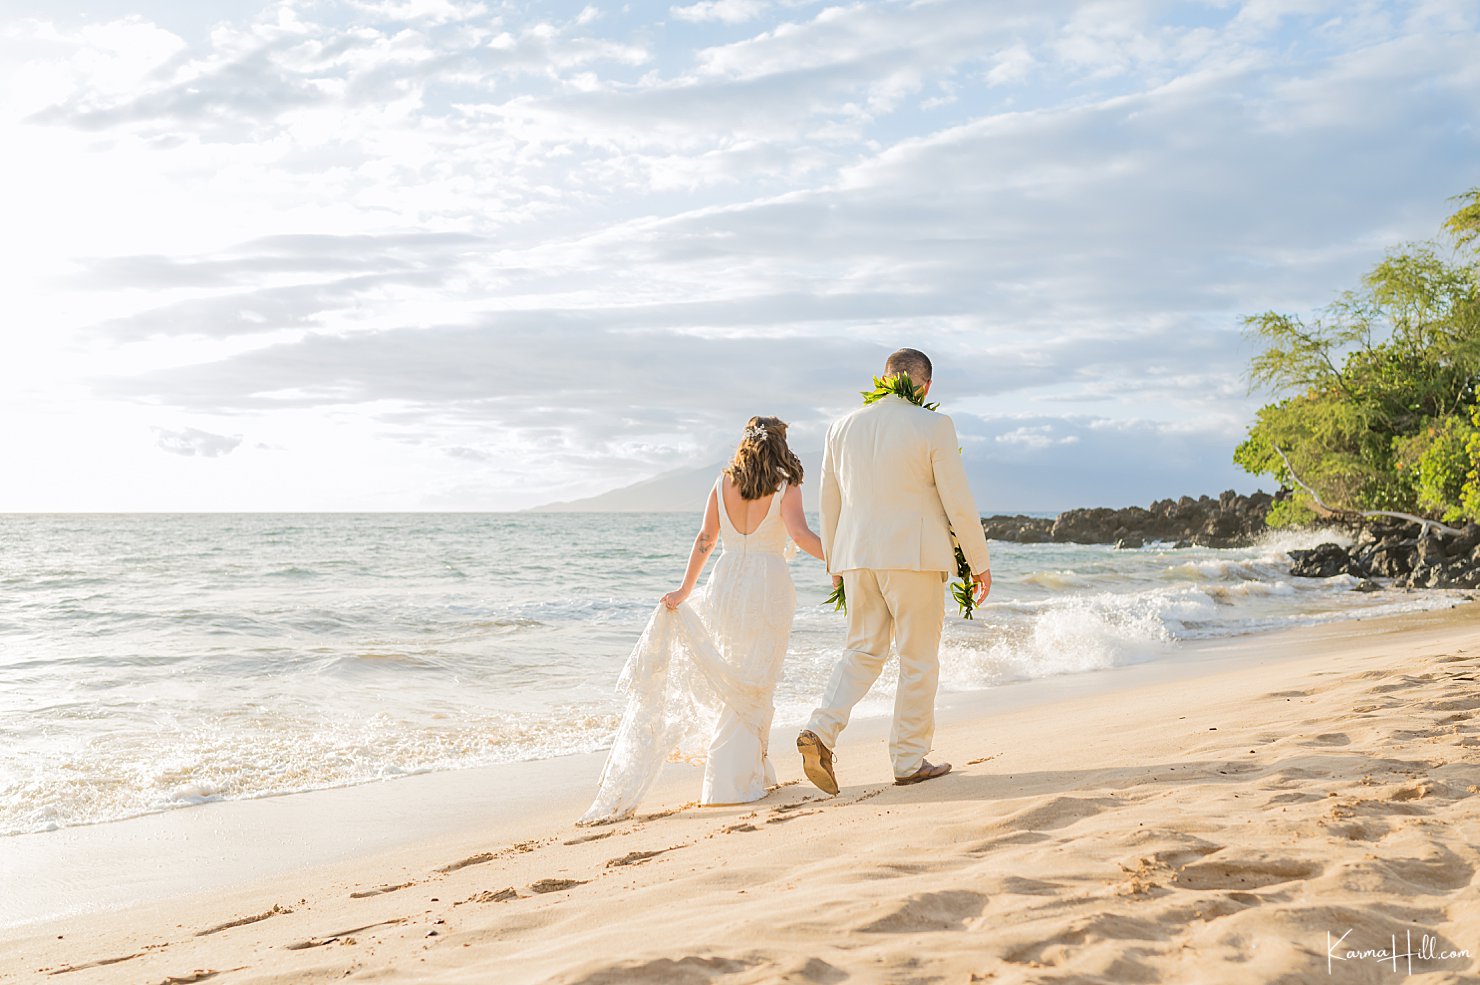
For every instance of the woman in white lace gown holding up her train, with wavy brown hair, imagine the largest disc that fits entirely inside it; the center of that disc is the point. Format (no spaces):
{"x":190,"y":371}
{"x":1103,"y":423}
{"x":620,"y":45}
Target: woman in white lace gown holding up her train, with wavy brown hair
{"x":702,"y":677}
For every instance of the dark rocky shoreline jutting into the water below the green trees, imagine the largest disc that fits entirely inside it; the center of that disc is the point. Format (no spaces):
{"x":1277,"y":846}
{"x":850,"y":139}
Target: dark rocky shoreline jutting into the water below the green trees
{"x":1389,"y":549}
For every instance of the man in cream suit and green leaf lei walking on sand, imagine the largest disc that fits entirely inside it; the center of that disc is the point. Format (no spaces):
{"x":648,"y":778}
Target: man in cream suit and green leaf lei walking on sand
{"x":893,"y":490}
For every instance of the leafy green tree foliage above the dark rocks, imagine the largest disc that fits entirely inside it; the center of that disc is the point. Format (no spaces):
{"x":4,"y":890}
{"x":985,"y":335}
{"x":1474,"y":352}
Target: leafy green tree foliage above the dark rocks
{"x":1377,"y":397}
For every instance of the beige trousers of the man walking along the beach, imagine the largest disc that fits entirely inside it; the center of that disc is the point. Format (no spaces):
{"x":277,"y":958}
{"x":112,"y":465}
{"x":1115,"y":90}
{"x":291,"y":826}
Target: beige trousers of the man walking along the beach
{"x":906,"y":607}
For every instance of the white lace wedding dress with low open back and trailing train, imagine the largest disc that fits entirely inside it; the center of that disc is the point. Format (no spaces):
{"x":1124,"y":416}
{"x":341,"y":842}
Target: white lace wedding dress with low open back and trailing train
{"x":701,"y":680}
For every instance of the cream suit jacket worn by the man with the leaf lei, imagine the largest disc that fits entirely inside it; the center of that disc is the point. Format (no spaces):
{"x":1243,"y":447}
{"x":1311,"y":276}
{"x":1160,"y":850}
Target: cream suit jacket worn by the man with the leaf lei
{"x":893,"y":489}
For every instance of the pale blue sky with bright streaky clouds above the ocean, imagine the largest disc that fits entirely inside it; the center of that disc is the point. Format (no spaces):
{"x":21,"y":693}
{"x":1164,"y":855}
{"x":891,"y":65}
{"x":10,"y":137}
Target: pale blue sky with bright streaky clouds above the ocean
{"x":442,"y":255}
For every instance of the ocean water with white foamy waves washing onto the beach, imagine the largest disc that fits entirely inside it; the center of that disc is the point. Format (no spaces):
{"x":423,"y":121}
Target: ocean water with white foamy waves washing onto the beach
{"x":158,"y":662}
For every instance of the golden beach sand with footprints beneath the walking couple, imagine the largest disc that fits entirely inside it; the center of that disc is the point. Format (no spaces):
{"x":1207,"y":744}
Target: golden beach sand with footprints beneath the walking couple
{"x":1271,"y":810}
